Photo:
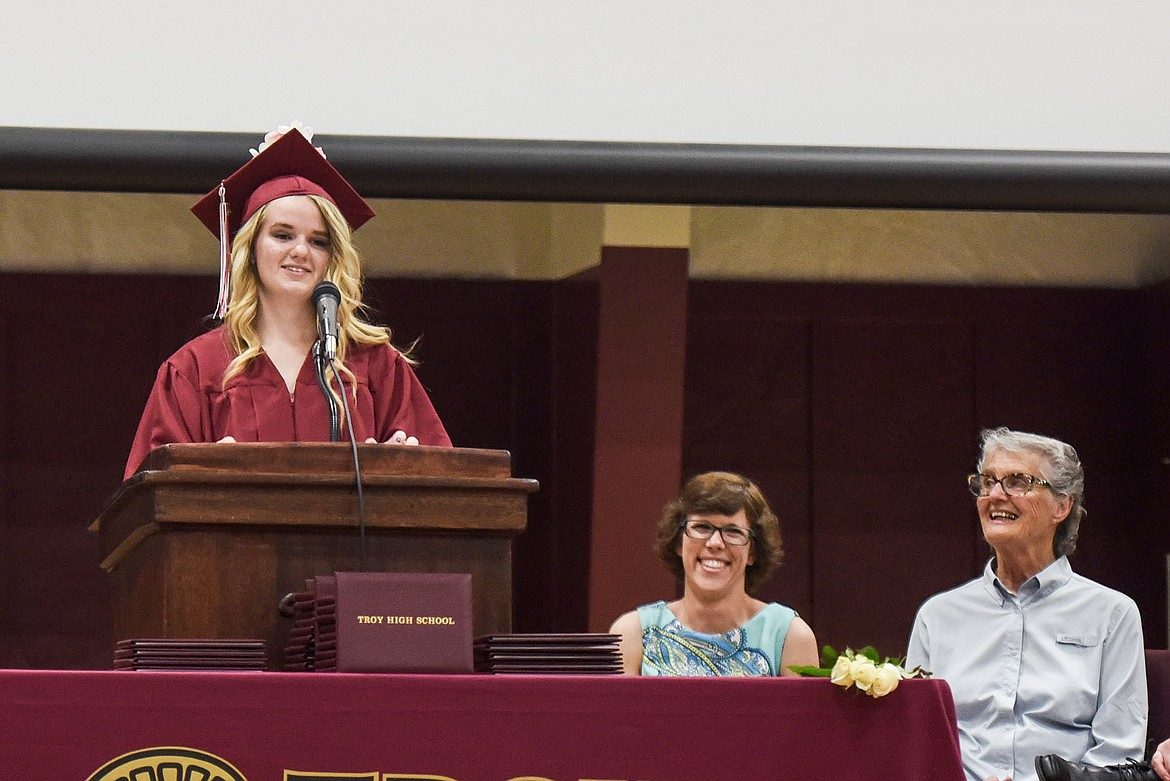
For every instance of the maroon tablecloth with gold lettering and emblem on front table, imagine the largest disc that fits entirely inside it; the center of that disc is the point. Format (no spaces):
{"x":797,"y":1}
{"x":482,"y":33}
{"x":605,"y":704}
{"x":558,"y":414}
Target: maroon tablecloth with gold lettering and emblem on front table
{"x":269,"y":727}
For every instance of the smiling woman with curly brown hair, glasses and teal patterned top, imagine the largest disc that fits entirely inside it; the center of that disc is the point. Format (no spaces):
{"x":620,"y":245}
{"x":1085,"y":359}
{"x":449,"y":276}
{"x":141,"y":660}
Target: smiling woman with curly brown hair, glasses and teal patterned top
{"x":722,"y":542}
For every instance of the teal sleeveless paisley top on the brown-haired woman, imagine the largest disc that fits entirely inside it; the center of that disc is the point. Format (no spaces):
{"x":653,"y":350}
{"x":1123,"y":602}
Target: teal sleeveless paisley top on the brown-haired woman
{"x":754,"y":649}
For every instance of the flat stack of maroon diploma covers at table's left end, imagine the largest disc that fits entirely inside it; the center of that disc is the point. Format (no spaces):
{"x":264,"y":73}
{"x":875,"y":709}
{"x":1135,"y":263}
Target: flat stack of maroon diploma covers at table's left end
{"x":173,"y":654}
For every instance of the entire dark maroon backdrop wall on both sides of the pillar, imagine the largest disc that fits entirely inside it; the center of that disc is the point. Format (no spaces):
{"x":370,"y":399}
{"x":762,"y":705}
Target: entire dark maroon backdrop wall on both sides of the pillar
{"x":857,"y":407}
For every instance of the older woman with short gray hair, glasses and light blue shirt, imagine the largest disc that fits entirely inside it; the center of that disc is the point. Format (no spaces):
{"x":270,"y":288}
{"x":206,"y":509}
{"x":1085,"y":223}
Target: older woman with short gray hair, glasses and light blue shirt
{"x":1040,"y":660}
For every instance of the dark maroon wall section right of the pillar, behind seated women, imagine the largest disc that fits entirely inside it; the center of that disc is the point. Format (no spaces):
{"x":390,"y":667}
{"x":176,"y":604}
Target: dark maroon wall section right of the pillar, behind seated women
{"x":858,"y":409}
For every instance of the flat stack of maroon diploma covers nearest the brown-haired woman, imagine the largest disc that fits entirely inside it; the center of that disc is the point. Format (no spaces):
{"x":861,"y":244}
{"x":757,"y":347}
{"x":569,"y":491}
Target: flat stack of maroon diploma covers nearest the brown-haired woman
{"x":549,"y":654}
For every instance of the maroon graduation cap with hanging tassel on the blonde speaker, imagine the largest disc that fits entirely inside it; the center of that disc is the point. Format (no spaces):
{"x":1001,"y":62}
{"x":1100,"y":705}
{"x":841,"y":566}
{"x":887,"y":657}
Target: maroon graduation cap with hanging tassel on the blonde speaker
{"x":287,"y":167}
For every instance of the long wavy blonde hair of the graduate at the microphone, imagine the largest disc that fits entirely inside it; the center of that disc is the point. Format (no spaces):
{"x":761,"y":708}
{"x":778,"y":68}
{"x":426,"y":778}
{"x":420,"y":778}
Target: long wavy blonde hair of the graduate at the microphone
{"x":345,"y":271}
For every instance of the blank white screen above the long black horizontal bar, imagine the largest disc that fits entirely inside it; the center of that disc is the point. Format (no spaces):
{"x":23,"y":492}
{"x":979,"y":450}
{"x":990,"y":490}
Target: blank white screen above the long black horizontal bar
{"x":962,"y":74}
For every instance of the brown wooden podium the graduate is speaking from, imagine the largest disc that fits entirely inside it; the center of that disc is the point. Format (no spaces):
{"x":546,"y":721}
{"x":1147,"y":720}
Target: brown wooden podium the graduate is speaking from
{"x":207,"y":540}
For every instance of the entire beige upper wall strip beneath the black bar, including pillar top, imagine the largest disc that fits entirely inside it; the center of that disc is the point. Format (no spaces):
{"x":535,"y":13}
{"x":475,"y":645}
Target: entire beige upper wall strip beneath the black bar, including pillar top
{"x":106,"y":233}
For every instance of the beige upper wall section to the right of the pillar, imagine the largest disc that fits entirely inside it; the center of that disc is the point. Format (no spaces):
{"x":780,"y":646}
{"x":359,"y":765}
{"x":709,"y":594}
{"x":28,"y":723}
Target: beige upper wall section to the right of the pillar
{"x":932,"y":247}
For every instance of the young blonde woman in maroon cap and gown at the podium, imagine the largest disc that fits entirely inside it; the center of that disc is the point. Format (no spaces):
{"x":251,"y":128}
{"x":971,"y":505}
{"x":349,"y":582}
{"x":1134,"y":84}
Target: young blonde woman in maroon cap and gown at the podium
{"x":253,"y":379}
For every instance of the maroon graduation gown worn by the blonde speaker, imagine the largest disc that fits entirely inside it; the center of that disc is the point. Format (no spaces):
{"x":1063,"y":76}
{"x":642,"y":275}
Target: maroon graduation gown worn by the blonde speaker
{"x":189,"y":403}
